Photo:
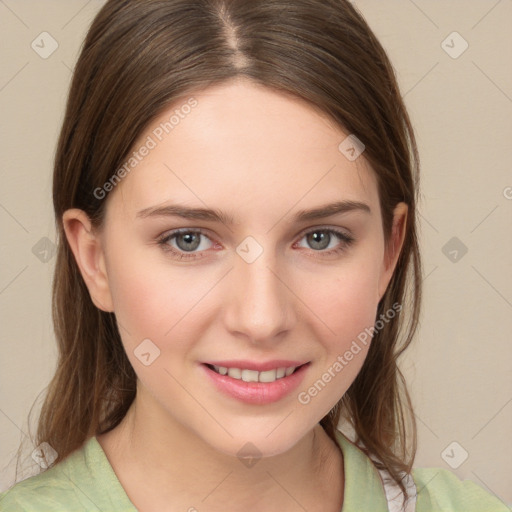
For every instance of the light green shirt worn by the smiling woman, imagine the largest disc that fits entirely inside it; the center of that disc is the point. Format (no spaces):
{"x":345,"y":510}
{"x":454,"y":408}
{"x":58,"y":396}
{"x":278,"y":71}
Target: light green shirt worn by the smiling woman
{"x":85,"y":481}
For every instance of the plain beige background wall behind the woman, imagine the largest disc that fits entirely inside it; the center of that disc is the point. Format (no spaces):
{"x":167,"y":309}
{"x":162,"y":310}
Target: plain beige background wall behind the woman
{"x":459,"y":367}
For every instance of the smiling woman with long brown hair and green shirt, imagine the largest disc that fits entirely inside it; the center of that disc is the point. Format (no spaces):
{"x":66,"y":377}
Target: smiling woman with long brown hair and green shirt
{"x":235,"y":189}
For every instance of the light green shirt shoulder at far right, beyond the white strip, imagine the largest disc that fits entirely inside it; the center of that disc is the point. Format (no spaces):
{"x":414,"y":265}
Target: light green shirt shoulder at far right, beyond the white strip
{"x":440,"y":489}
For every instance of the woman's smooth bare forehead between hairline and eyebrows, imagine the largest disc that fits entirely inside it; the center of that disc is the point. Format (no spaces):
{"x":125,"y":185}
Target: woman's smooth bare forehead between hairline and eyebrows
{"x":246,"y":148}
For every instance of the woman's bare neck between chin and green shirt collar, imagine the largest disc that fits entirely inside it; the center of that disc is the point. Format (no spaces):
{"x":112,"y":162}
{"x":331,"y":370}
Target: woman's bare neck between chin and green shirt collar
{"x":161,"y":461}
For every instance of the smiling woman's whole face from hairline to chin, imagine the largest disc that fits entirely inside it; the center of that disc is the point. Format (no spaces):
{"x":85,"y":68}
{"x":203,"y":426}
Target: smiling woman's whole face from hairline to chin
{"x":243,"y":242}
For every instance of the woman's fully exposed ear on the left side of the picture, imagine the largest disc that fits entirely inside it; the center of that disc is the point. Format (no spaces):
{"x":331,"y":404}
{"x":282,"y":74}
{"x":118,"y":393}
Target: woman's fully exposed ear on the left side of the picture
{"x":87,"y":248}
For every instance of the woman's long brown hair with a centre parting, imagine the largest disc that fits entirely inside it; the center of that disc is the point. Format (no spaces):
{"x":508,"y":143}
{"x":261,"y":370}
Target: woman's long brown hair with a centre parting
{"x":140,"y":56}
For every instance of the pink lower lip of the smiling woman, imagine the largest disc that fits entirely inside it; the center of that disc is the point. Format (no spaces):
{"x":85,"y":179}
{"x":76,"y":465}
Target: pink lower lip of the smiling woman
{"x":257,"y":392}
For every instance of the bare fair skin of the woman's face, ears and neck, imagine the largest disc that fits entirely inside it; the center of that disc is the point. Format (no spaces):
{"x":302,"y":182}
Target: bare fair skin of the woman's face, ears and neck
{"x":268,"y":156}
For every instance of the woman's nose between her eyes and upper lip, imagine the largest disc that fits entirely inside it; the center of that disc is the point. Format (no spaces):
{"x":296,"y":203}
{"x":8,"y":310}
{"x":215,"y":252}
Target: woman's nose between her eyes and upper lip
{"x":259,"y":305}
